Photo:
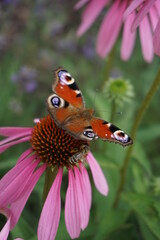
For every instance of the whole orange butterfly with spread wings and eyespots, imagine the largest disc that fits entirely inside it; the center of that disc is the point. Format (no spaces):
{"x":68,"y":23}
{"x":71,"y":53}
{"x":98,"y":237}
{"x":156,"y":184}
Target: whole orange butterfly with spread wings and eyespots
{"x":66,"y":106}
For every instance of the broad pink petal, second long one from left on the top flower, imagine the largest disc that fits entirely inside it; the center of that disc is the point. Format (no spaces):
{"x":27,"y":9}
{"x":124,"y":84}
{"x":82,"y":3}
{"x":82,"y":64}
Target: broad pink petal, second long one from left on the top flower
{"x":110,"y":28}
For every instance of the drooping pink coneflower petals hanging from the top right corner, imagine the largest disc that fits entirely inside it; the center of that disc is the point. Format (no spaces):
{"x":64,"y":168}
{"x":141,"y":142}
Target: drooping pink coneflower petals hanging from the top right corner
{"x":144,"y":14}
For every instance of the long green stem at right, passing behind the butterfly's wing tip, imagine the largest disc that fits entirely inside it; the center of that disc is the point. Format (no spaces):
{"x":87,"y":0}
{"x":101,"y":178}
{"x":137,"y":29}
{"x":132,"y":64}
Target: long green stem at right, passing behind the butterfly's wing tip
{"x":136,"y":124}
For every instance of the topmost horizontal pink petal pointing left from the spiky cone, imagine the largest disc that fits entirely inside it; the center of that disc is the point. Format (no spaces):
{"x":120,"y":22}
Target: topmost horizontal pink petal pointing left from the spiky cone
{"x":11,"y":131}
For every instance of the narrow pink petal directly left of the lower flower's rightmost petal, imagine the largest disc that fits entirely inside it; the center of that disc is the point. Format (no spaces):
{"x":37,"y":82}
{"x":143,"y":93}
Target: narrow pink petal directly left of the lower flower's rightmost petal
{"x":87,"y":184}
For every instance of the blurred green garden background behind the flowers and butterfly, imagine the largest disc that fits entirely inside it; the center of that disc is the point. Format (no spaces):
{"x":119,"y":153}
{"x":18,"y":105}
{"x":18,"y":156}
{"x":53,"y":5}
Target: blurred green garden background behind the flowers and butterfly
{"x":36,"y":37}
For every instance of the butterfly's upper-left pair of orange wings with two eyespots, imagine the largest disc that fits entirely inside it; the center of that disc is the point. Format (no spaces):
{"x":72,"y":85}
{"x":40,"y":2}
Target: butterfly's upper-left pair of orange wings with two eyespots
{"x":66,"y":98}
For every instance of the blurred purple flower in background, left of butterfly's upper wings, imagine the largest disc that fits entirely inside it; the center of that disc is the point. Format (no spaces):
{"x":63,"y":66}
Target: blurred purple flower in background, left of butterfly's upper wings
{"x":27,"y":77}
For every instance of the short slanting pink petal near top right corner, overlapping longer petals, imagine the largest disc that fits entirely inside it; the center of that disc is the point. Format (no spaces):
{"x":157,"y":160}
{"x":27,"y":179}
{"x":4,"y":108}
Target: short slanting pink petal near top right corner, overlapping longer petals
{"x":142,"y":13}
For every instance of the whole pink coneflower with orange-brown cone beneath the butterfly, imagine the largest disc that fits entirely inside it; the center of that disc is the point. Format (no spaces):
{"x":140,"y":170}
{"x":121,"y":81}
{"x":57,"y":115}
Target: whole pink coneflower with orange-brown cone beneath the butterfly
{"x":47,"y":140}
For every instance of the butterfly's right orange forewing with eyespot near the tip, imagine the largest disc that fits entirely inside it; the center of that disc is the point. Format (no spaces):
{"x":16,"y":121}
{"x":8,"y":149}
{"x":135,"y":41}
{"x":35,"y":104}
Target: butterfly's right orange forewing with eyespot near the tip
{"x":109,"y":132}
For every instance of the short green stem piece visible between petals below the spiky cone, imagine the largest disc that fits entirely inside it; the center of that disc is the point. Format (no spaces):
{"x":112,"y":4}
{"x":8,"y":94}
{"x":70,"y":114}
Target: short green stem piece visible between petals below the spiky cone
{"x":49,"y":179}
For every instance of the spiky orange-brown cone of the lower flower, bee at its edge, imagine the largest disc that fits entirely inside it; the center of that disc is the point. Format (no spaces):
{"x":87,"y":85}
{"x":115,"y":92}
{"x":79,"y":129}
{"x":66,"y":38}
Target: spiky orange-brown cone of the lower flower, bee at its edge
{"x":55,"y":146}
